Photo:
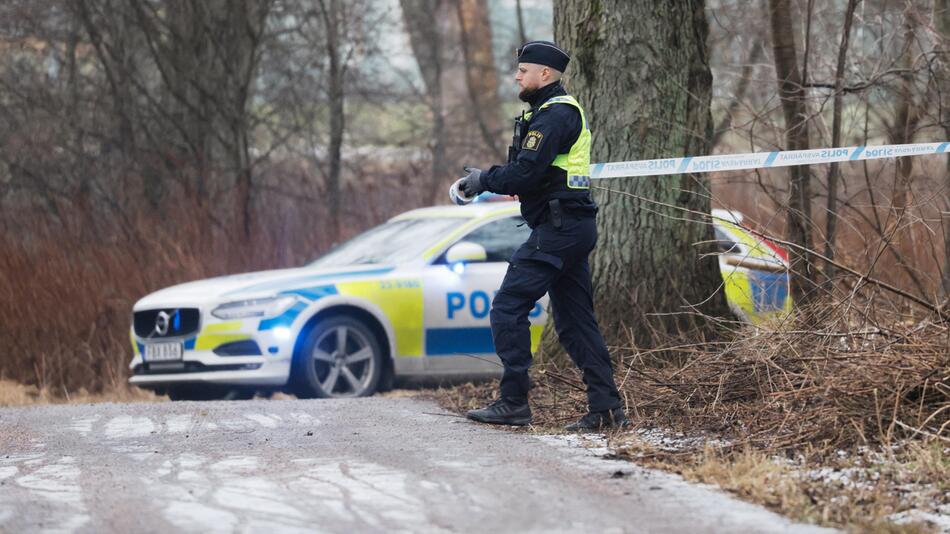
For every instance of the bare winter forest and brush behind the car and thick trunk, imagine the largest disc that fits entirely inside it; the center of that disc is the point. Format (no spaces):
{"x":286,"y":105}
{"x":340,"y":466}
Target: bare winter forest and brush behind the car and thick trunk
{"x":146,"y":143}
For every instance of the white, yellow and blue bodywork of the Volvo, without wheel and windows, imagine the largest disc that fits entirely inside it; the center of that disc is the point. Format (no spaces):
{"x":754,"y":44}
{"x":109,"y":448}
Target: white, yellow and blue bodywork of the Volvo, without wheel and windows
{"x":431,"y":318}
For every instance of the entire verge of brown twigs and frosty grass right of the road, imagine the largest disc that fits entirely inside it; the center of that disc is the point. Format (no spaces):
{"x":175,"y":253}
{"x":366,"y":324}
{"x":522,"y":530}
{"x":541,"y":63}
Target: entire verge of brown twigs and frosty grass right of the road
{"x":867,"y":398}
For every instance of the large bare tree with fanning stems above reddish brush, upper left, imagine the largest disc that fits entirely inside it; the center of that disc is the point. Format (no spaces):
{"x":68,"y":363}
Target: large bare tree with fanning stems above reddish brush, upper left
{"x":206,"y":56}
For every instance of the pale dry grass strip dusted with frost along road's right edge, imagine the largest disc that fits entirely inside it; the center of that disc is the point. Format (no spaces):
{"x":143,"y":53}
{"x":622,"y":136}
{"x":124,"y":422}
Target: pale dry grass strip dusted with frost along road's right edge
{"x":857,"y":491}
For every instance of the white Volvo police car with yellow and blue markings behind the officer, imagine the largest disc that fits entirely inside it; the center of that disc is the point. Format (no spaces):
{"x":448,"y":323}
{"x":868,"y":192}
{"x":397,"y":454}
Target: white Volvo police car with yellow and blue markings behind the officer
{"x":410,"y":297}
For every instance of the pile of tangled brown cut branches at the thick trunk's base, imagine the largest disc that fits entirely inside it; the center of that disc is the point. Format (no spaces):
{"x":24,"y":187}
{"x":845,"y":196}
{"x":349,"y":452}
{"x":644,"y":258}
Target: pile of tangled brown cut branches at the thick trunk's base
{"x":779,"y":388}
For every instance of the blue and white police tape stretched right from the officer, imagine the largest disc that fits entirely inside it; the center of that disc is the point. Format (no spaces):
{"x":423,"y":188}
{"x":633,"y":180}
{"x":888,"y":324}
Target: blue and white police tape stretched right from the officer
{"x":760,"y":160}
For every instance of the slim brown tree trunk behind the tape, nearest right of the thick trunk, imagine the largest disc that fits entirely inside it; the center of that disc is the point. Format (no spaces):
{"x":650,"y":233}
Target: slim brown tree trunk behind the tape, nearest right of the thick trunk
{"x":792,"y":96}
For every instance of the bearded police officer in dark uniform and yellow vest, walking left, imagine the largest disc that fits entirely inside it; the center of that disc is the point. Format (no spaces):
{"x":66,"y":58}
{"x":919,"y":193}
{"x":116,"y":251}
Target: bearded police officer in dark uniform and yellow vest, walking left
{"x":548,"y":169}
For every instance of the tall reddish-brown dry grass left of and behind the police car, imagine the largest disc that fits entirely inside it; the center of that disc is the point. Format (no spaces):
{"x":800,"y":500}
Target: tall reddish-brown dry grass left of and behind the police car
{"x":70,"y":278}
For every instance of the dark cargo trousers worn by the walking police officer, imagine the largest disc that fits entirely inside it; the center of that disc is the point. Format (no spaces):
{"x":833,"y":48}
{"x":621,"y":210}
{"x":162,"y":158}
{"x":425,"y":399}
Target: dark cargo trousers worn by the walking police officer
{"x":553,"y":260}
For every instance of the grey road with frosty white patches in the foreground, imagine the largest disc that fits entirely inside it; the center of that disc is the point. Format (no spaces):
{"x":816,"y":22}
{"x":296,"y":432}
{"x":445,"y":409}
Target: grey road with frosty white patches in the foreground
{"x":362,"y":465}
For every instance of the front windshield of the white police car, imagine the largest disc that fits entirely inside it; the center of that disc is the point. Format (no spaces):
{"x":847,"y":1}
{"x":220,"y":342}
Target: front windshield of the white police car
{"x":391,"y":243}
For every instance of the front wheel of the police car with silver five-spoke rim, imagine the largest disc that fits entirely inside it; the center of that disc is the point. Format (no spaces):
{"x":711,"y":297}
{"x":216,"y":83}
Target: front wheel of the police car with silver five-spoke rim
{"x":340,"y":358}
